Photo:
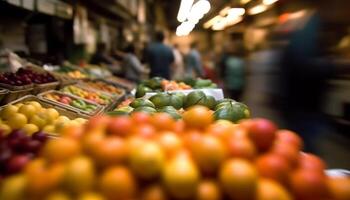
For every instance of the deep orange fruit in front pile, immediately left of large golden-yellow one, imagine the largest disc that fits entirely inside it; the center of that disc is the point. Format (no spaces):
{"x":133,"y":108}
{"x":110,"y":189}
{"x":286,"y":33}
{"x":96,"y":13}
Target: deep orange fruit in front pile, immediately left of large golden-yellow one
{"x":111,"y":150}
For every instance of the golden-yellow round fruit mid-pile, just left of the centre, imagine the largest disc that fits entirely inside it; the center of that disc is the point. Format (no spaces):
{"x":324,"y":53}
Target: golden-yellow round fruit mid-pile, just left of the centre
{"x":147,"y":160}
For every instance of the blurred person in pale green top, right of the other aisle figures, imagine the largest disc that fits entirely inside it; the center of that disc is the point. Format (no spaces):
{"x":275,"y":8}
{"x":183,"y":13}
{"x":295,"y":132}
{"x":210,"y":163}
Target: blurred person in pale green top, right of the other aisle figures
{"x":234,"y":71}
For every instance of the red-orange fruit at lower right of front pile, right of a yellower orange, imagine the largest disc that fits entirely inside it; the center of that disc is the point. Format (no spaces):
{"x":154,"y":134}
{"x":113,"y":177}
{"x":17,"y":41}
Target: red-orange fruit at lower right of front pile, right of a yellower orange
{"x":273,"y":166}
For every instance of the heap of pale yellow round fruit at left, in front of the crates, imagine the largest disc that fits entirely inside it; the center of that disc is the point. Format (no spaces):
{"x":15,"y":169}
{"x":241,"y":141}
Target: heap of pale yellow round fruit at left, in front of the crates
{"x":31,"y":117}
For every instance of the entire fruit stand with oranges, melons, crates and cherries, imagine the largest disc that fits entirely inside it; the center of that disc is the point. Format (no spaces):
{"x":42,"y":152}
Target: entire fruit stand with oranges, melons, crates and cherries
{"x":86,"y":140}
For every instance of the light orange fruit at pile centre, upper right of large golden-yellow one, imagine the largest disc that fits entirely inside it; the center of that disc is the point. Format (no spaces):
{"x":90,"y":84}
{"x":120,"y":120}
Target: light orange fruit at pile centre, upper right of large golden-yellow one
{"x":170,"y":143}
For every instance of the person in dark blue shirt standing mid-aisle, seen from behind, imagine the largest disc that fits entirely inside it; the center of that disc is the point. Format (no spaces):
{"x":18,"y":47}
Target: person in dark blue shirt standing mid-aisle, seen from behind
{"x":159,"y":57}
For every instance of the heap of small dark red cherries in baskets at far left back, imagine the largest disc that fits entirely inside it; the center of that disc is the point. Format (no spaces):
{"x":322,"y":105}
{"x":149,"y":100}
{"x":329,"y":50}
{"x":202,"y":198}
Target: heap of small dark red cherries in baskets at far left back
{"x":26,"y":76}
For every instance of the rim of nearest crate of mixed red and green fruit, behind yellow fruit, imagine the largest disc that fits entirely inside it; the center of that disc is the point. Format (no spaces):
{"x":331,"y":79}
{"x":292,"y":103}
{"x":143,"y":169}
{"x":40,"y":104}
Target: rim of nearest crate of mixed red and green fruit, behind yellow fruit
{"x":98,"y":110}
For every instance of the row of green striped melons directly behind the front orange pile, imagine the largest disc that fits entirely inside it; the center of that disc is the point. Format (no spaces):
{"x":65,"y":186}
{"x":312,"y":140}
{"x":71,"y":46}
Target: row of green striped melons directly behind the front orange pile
{"x":174,"y":104}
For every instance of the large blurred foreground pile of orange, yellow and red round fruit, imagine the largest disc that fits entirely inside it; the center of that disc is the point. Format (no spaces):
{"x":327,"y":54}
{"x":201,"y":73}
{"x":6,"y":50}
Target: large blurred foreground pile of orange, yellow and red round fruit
{"x":153,"y":157}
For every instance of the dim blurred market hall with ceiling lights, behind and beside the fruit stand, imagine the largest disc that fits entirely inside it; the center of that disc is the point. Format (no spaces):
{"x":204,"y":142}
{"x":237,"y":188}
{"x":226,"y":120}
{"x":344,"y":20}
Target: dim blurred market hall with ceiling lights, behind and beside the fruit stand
{"x":288,"y":60}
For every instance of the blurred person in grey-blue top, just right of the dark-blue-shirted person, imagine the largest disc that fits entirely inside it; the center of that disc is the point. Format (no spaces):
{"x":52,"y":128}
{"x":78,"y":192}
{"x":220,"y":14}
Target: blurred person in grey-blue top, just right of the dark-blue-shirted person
{"x":193,"y":63}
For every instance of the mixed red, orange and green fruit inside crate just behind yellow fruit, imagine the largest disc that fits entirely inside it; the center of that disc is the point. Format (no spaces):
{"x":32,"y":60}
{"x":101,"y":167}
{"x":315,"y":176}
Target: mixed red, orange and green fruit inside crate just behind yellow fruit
{"x":80,"y":104}
